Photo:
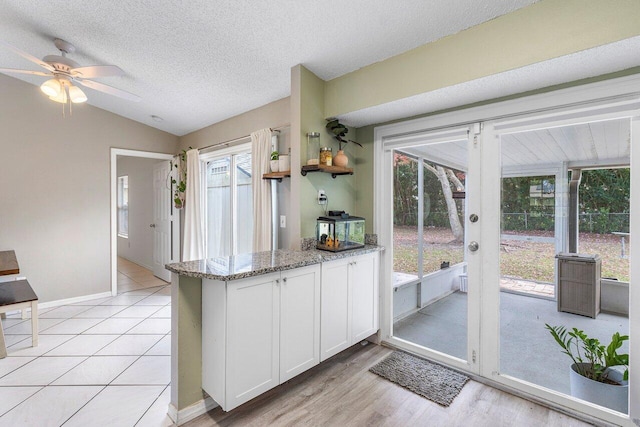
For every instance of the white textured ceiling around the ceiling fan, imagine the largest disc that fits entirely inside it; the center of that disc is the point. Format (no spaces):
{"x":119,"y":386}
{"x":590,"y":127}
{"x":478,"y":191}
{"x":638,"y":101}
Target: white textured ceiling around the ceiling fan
{"x":197,"y":62}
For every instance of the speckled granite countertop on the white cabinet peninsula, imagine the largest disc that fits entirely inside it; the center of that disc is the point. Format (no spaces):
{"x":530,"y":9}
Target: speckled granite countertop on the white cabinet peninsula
{"x":258,"y":263}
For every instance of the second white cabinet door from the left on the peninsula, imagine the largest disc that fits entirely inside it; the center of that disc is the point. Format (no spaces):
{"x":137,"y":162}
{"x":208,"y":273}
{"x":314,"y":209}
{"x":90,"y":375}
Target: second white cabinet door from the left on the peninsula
{"x":299,"y":321}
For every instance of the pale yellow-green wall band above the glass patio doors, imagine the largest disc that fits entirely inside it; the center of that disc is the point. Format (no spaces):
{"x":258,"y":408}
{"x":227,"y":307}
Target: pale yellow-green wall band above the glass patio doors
{"x":545,"y":30}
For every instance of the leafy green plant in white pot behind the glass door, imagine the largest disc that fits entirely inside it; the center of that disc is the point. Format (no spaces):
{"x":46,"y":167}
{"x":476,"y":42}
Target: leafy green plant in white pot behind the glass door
{"x":598,"y":374}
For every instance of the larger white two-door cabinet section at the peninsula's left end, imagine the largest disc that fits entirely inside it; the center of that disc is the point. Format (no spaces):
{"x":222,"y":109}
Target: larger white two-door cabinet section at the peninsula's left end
{"x":258,"y":332}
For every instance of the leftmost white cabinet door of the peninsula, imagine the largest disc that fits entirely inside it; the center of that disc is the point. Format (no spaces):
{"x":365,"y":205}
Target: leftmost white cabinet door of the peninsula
{"x":252,"y":338}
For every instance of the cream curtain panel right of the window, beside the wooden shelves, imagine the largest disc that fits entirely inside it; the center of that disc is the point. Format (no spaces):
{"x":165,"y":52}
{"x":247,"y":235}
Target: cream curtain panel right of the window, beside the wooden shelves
{"x":260,"y":155}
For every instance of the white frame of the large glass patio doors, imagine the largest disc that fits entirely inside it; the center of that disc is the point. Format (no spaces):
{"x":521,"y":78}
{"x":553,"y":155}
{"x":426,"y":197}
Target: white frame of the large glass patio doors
{"x":608,"y":99}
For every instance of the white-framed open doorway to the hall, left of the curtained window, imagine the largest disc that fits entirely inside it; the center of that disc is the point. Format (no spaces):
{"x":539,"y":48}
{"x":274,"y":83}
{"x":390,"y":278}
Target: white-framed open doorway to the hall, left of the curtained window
{"x":156,"y":221}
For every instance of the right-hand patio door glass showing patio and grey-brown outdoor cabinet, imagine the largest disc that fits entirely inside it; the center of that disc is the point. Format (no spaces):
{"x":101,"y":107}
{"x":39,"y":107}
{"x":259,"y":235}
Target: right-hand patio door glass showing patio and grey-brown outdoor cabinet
{"x":561,"y":251}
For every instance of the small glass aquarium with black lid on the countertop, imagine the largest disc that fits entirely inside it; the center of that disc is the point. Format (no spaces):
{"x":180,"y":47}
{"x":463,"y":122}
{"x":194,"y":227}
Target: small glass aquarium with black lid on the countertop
{"x":339,"y":232}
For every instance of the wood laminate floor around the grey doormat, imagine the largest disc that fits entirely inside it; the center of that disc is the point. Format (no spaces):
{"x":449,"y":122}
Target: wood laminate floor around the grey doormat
{"x":342,"y":392}
